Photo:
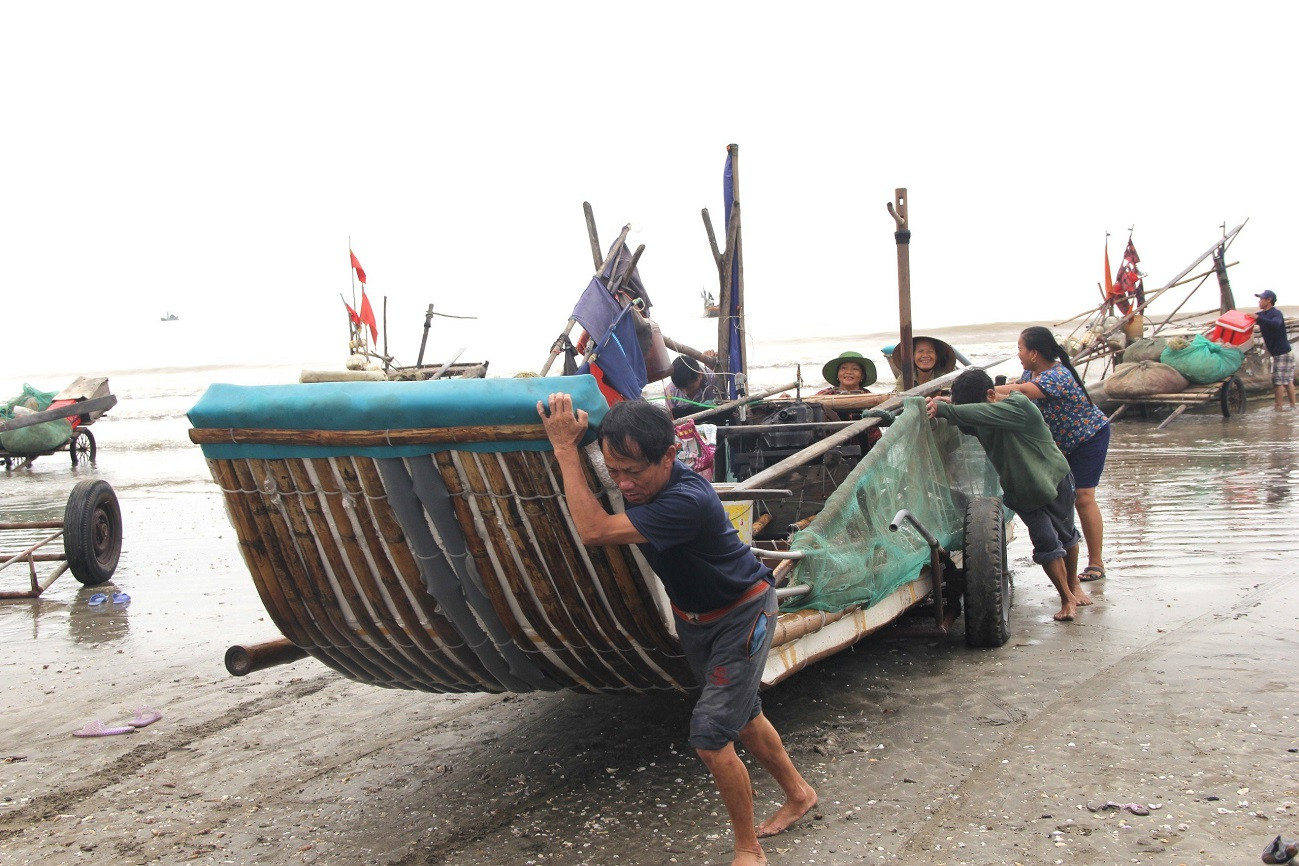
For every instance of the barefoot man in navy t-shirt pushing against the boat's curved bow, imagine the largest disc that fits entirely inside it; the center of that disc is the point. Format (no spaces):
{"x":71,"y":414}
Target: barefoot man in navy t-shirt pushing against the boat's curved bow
{"x":722,"y":595}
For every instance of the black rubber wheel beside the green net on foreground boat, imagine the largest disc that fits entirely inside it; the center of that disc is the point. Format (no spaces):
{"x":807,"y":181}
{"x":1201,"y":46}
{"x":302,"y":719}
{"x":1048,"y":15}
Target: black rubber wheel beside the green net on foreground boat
{"x":988,"y":580}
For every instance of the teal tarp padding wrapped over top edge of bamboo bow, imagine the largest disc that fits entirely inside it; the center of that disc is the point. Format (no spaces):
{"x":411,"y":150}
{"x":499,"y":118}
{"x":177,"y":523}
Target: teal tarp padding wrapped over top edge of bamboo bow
{"x":384,"y":406}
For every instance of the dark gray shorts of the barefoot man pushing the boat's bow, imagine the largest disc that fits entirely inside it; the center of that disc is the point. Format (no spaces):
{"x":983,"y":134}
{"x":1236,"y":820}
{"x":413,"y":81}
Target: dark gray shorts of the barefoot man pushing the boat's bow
{"x":728,"y":658}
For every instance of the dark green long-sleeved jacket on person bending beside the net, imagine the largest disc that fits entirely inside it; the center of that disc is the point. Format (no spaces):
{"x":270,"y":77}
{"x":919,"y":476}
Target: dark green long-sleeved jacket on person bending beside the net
{"x":1019,"y":446}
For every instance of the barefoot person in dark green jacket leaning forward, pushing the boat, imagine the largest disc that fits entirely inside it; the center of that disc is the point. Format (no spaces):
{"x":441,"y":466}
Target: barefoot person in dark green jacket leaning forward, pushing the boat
{"x":1036,"y":480}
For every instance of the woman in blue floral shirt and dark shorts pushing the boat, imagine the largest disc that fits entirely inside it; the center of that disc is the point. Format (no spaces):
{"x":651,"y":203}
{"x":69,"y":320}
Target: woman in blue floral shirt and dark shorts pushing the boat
{"x":1079,"y":427}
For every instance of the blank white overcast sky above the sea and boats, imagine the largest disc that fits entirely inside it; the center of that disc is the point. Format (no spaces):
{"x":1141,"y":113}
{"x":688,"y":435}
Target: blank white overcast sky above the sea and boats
{"x":215,"y":159}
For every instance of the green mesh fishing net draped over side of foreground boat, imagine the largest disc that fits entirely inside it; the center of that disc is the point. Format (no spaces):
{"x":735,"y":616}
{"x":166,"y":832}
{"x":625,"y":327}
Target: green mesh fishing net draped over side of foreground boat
{"x":850,"y":555}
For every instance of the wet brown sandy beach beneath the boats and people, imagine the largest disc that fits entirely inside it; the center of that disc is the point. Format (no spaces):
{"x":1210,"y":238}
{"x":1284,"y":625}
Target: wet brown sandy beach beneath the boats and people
{"x":1174,"y":691}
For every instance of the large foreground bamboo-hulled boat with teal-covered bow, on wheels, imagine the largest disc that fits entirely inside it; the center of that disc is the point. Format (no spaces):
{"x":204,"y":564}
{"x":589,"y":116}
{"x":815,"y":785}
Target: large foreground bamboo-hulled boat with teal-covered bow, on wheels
{"x":416,"y":534}
